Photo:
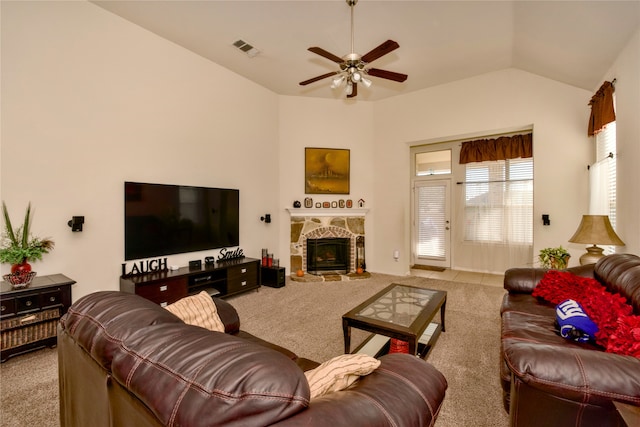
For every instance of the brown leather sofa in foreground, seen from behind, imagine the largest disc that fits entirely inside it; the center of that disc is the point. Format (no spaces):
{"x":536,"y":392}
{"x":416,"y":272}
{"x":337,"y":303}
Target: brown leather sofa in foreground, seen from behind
{"x":125,"y":361}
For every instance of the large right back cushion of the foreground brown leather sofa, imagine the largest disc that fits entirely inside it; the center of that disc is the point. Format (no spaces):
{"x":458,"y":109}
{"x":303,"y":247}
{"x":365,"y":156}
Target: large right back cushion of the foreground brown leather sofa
{"x":187,"y":375}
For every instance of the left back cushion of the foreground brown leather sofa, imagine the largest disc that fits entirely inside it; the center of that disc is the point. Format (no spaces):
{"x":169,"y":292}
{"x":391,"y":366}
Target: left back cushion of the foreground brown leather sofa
{"x":100,"y":321}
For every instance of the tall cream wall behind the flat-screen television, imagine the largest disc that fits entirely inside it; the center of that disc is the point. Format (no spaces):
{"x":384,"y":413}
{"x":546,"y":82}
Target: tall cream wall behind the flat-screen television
{"x":90,"y":100}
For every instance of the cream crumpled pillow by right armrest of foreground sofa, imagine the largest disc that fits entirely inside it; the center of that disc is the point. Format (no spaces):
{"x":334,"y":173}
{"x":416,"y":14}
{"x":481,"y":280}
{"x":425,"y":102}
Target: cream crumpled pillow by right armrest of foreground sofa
{"x":339,"y":373}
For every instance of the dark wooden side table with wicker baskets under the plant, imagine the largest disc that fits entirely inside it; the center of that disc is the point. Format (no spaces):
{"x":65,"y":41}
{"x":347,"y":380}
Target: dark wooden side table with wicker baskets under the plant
{"x":29,"y":317}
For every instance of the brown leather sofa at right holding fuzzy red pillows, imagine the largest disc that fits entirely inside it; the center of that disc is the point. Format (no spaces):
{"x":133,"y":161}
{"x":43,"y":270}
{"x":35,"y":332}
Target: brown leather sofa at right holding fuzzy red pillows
{"x":550,"y":381}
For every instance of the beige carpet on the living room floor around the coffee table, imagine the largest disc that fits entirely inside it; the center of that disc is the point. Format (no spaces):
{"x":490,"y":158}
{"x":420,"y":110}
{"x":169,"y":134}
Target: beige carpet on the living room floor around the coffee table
{"x":307,"y":319}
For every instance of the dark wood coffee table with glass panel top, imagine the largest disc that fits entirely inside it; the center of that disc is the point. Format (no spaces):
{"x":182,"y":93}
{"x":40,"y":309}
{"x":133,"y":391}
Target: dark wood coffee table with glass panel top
{"x":399,"y":311}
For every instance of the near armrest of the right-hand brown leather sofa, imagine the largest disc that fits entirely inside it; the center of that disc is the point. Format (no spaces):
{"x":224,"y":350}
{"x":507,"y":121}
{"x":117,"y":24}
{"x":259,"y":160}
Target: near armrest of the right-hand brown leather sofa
{"x":577,"y":374}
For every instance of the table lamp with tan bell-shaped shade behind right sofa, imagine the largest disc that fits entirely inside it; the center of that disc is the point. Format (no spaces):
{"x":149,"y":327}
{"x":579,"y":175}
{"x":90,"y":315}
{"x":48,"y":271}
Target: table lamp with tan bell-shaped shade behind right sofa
{"x":597,"y":230}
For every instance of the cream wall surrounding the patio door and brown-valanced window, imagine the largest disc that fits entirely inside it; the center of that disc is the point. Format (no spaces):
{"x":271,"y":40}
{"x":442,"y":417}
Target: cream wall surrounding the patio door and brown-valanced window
{"x":505,"y":99}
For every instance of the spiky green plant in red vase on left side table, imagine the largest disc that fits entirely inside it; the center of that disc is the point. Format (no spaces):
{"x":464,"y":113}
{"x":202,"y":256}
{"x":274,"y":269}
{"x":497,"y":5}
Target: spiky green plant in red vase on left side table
{"x":18,"y":247}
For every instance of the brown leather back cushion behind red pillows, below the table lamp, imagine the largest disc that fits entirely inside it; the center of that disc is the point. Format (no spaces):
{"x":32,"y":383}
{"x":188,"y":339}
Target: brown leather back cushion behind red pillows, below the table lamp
{"x":620,"y":273}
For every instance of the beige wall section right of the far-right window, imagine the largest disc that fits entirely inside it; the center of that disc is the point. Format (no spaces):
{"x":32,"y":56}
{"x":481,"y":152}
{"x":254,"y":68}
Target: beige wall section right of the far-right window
{"x":626,"y":71}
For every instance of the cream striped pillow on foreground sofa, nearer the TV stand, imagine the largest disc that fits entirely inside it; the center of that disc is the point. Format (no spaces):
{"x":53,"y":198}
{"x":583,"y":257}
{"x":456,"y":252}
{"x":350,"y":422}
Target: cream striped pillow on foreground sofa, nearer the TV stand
{"x":198,"y":310}
